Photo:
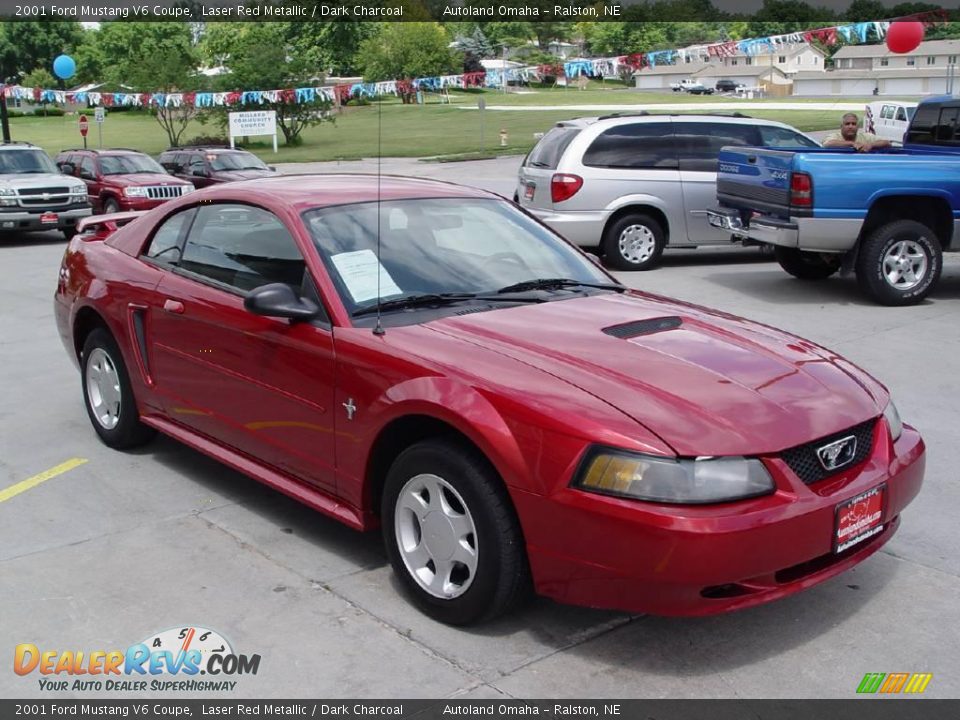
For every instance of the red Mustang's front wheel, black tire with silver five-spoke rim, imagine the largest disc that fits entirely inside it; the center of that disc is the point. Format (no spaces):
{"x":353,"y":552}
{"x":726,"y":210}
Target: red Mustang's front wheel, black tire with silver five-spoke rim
{"x":500,"y":578}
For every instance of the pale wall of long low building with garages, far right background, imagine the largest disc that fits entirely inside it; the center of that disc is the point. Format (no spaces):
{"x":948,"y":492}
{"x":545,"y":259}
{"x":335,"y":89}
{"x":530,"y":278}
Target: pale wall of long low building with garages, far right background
{"x":907,"y":81}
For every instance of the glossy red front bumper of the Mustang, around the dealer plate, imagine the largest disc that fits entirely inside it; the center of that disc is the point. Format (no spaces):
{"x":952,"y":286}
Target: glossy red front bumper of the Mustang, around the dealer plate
{"x":670,"y":560}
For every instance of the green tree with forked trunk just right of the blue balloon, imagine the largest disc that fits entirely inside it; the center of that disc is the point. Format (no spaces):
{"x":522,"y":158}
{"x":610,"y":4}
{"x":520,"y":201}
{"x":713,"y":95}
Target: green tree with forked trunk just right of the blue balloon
{"x":153,"y":57}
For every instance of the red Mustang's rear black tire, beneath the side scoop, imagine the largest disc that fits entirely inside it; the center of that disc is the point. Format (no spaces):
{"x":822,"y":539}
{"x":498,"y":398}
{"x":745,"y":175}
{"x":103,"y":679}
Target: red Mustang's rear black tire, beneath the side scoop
{"x":127,"y":431}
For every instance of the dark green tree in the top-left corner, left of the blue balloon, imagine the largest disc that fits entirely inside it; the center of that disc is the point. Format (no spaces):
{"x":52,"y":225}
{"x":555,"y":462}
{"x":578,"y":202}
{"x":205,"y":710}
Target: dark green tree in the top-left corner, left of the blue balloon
{"x":28,"y":45}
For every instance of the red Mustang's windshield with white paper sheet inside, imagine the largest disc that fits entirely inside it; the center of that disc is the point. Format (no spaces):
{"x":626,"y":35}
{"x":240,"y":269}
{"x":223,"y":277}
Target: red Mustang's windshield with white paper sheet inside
{"x":439,"y":246}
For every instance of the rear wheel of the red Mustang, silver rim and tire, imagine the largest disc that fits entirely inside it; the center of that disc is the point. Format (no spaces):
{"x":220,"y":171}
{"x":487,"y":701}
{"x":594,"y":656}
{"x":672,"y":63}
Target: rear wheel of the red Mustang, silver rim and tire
{"x":107,"y":394}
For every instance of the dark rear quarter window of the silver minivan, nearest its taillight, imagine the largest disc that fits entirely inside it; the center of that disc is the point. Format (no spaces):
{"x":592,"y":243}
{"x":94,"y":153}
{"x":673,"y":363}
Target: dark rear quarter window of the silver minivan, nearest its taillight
{"x":638,"y":145}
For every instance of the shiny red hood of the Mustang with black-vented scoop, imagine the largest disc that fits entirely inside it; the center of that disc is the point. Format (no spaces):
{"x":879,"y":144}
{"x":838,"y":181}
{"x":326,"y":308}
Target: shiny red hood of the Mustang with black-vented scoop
{"x":706,"y":383}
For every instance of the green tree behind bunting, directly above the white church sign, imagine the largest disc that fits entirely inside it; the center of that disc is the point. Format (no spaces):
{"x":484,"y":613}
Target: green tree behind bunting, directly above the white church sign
{"x":261,"y":56}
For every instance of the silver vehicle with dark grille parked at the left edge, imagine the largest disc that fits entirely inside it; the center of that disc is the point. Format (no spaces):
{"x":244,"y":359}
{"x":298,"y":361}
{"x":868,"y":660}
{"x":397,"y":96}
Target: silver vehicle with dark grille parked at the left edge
{"x":34,"y":195}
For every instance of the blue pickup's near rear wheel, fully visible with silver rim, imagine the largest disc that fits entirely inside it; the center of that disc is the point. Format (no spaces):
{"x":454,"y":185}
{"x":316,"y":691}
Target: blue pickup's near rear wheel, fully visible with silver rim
{"x":873,"y":262}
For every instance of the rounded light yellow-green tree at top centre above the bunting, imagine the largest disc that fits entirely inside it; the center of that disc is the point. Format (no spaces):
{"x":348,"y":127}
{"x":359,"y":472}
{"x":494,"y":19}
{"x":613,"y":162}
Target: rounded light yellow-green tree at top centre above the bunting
{"x":408,"y":50}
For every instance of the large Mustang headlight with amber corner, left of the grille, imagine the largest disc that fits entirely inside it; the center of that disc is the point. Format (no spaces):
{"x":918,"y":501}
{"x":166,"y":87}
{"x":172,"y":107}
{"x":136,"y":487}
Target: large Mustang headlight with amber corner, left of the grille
{"x":644,"y":477}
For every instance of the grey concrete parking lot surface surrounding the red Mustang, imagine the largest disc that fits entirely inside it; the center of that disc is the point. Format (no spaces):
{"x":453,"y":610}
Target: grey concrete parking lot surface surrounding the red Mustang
{"x":124,"y":545}
